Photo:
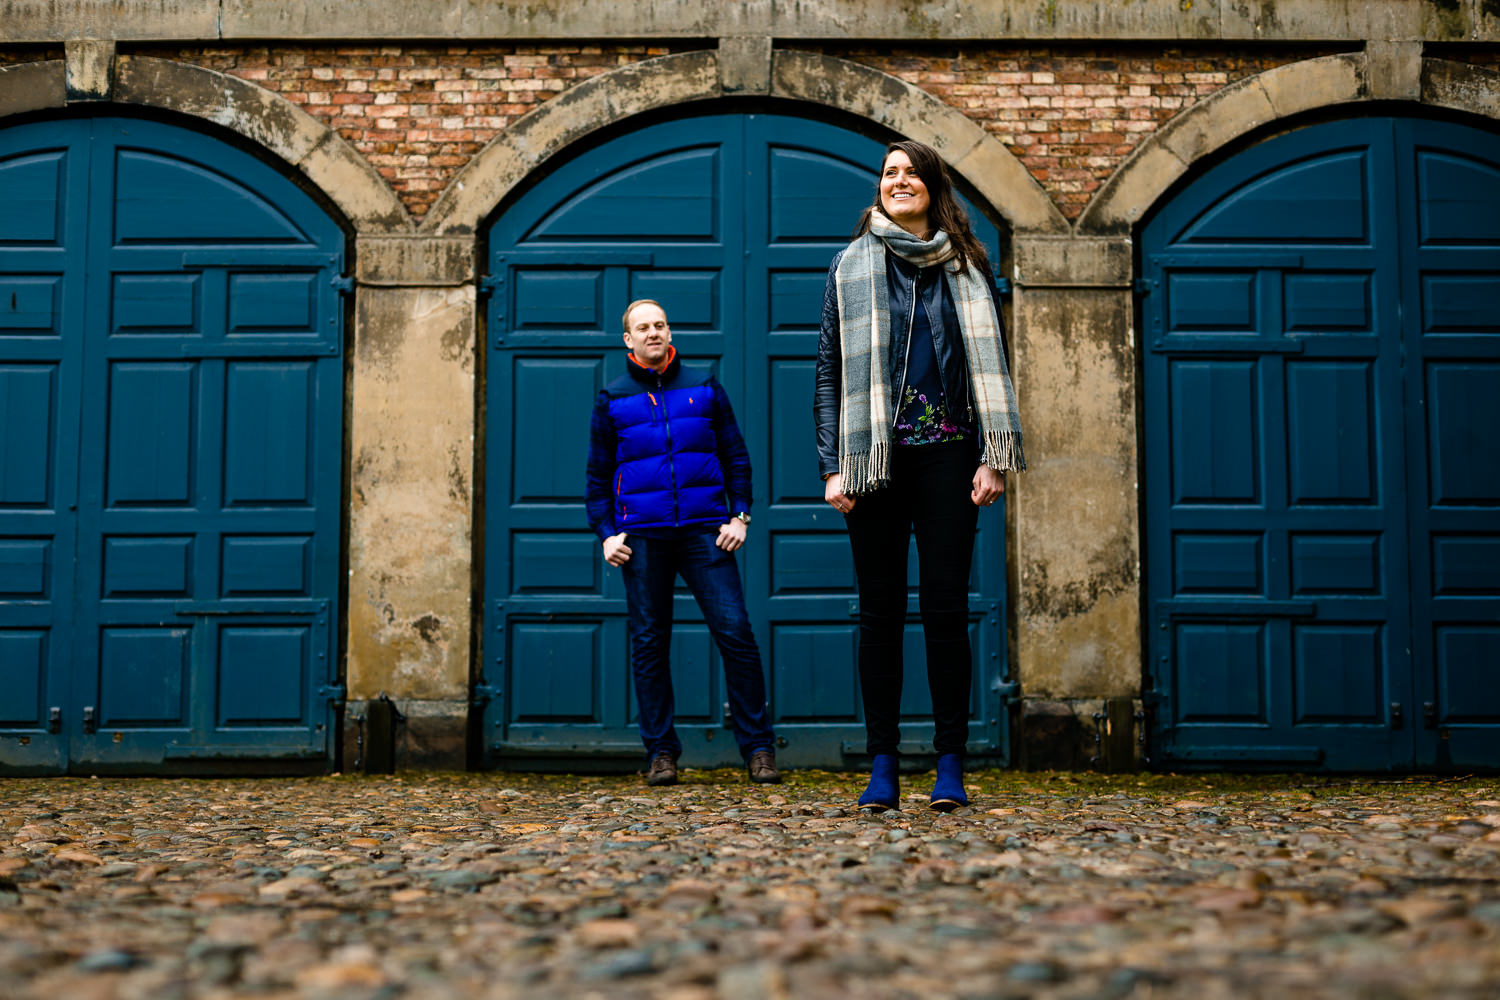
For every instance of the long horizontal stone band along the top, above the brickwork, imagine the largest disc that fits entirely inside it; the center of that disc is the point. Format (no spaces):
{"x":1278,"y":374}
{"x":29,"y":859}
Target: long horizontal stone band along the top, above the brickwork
{"x":904,"y":20}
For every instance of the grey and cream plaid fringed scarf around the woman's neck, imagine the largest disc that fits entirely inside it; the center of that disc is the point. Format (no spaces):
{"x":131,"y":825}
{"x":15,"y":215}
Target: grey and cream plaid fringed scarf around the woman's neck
{"x":865,"y":338}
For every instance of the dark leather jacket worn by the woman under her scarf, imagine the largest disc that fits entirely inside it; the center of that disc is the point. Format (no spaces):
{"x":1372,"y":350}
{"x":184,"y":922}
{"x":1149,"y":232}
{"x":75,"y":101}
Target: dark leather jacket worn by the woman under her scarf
{"x":904,"y":281}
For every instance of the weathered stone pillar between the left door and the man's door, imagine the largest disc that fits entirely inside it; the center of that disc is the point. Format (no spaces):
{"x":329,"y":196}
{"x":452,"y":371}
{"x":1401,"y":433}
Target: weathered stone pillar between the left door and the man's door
{"x":412,"y":509}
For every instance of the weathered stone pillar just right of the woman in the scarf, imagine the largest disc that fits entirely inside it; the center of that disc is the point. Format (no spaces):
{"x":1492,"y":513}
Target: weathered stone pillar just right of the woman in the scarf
{"x":1076,"y":540}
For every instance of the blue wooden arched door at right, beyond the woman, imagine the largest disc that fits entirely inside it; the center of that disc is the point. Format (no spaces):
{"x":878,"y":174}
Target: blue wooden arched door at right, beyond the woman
{"x":1322,"y":379}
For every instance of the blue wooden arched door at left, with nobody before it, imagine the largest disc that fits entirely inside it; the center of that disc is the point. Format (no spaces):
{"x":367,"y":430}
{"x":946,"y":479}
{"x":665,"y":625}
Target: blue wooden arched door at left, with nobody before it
{"x":170,"y":436}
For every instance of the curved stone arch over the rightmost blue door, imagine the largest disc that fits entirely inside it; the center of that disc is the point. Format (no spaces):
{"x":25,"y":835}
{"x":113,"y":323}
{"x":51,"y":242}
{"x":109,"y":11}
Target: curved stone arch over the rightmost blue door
{"x":1261,"y":100}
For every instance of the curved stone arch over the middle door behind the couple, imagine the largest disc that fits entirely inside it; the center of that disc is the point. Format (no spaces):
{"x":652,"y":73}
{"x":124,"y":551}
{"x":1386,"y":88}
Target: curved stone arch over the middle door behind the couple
{"x":983,"y":161}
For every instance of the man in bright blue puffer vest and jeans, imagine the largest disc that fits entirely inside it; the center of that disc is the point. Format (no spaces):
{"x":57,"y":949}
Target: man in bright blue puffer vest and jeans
{"x":665,"y":455}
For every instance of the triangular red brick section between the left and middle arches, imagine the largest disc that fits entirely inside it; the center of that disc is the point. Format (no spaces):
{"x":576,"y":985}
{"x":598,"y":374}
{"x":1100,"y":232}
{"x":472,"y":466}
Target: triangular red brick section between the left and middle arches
{"x":418,"y":113}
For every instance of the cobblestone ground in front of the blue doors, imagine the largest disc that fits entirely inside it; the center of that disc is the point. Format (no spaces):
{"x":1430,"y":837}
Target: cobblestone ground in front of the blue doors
{"x":499,"y":885}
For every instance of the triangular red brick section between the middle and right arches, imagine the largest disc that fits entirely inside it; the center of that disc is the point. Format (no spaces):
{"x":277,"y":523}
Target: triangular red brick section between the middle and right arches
{"x":1072,"y":115}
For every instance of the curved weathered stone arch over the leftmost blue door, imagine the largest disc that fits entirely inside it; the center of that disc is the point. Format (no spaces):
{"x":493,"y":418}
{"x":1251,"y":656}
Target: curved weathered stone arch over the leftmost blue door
{"x":346,"y":178}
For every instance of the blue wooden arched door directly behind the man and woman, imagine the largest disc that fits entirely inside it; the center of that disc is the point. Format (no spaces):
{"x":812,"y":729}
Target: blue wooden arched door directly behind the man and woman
{"x":731,"y":223}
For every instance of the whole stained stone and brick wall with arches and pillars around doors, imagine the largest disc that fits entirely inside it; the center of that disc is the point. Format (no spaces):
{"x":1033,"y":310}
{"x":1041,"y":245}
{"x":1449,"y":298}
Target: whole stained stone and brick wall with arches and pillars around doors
{"x":1070,"y":121}
